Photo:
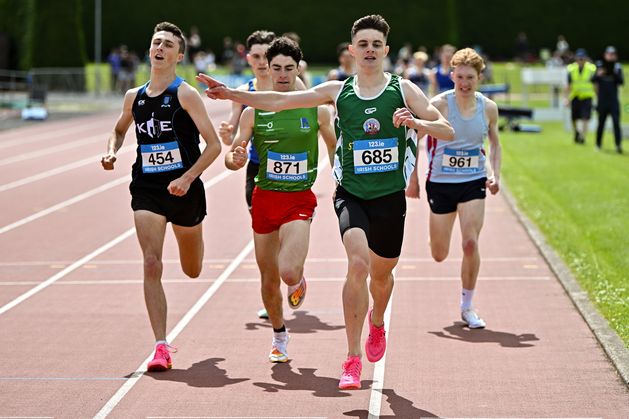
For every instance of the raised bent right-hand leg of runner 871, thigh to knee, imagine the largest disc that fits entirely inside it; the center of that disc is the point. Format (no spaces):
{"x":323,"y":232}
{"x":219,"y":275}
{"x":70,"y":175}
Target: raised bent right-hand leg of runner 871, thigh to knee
{"x":294,"y":238}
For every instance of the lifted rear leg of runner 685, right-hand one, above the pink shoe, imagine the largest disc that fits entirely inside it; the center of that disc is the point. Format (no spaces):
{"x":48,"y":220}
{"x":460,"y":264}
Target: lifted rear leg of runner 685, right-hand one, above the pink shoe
{"x":380,"y":285}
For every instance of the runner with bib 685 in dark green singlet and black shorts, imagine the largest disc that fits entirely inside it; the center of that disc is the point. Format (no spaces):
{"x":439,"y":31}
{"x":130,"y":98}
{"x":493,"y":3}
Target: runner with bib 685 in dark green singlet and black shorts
{"x":375,"y":154}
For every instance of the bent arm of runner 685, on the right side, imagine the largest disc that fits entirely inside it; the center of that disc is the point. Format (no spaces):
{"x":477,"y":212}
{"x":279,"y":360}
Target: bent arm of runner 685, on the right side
{"x":429,"y":121}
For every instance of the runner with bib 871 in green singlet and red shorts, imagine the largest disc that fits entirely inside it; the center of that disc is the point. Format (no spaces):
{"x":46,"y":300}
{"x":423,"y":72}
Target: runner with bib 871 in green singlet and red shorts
{"x":282,"y":204}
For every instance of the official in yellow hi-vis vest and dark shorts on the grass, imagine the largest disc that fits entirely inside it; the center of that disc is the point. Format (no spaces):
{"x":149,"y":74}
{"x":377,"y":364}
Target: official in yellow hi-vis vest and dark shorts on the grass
{"x":580,"y":93}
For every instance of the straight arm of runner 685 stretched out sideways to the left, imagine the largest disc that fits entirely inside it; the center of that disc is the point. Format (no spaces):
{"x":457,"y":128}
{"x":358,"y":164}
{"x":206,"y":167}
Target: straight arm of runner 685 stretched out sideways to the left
{"x":273,"y":101}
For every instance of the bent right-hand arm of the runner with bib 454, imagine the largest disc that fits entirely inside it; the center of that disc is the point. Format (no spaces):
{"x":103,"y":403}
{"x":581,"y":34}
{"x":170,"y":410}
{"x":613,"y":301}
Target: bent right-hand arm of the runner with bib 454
{"x":193,"y":104}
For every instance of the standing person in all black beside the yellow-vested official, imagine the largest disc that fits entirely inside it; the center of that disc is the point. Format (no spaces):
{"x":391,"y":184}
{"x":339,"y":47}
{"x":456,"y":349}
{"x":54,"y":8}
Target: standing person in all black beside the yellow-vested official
{"x":608,"y":78}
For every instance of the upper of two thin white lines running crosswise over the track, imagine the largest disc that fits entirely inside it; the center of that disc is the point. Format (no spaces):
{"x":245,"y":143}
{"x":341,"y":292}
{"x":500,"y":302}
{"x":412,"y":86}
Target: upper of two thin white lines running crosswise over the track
{"x":251,"y":260}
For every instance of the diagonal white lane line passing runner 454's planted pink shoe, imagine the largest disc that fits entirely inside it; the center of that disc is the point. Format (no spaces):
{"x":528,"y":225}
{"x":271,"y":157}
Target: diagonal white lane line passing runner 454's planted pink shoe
{"x":135,"y":377}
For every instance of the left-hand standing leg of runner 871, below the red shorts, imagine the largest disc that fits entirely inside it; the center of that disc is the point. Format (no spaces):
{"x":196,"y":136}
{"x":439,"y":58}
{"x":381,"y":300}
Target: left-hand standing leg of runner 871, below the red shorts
{"x":267,"y":248}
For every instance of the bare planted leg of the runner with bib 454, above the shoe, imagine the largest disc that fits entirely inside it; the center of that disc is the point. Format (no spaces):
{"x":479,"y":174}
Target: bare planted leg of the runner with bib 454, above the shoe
{"x":151,"y":229}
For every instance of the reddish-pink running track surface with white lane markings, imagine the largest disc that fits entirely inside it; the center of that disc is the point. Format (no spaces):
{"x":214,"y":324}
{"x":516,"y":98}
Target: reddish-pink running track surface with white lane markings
{"x":73,"y":346}
